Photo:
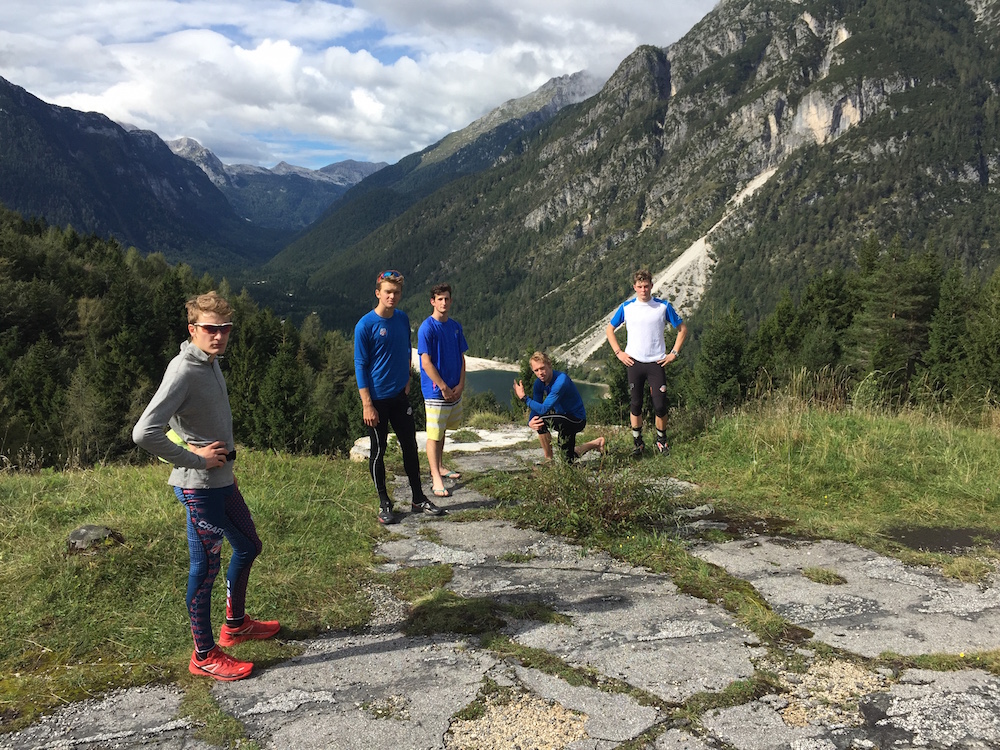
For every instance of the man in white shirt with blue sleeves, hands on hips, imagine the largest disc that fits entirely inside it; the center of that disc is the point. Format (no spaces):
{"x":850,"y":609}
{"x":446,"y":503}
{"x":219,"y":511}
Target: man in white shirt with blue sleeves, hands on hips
{"x":645,"y":318}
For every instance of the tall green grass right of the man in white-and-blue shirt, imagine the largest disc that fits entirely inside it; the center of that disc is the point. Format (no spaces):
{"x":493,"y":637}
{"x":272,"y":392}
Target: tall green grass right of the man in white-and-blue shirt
{"x":847,"y":475}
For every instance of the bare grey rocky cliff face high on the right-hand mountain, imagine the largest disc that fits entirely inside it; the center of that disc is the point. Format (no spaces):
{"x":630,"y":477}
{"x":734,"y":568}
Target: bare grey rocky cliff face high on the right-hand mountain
{"x":681,"y":123}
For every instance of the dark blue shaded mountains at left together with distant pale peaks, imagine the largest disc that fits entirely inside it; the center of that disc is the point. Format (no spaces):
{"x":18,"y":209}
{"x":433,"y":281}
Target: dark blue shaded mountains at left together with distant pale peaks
{"x":84,"y":170}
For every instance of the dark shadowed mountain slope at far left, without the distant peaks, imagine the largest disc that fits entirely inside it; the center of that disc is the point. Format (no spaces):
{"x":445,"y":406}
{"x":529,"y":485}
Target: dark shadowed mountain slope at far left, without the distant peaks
{"x":83,"y":170}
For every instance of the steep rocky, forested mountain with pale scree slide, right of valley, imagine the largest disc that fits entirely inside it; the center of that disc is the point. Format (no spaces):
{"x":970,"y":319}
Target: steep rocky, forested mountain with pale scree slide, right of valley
{"x":776,"y":136}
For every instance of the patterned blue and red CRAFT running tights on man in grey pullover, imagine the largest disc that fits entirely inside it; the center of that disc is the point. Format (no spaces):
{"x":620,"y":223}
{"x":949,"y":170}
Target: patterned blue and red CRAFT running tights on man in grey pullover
{"x":211,"y":515}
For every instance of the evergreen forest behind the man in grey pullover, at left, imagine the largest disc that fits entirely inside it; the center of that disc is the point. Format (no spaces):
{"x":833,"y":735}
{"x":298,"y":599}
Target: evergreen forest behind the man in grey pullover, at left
{"x":88,"y":327}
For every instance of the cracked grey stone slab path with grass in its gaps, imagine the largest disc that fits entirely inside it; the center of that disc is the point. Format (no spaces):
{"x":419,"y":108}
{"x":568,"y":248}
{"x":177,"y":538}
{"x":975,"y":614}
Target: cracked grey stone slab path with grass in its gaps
{"x":383,"y":689}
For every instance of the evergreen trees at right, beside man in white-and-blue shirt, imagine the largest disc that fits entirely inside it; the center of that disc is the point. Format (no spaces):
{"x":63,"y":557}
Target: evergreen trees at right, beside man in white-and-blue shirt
{"x":898,"y":328}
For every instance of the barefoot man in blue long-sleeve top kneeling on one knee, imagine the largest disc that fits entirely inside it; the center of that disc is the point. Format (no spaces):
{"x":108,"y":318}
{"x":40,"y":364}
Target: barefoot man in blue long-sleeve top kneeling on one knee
{"x":555,"y":403}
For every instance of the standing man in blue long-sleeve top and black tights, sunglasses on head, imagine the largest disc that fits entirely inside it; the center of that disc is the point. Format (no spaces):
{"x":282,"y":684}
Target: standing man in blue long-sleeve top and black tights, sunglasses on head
{"x":382,"y":369}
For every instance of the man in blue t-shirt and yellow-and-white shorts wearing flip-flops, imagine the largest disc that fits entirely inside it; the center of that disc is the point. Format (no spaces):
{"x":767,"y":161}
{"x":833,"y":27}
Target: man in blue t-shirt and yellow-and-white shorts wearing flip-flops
{"x":441,"y":347}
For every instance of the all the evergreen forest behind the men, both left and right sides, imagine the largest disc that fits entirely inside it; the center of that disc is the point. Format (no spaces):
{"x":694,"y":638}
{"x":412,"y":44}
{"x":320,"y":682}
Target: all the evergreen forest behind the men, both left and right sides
{"x":88,"y":327}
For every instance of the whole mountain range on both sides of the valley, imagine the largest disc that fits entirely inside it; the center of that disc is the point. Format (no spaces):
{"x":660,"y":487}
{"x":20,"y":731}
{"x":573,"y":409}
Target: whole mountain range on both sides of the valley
{"x":756,"y":152}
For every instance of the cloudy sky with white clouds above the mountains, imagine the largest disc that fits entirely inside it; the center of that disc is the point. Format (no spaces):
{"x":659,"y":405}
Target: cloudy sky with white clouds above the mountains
{"x":314,"y":82}
